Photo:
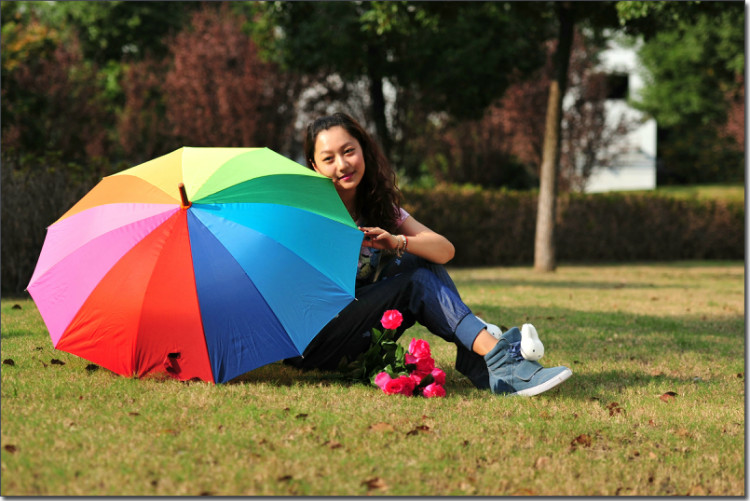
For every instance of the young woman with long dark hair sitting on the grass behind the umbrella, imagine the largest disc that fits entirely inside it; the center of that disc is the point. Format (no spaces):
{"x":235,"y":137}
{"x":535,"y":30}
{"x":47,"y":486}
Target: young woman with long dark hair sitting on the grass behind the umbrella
{"x":401,"y":267}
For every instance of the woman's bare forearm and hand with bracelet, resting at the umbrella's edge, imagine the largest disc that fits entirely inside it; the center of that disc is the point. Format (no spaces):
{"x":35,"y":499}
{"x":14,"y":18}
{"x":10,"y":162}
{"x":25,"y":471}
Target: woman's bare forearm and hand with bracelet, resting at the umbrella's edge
{"x":423,"y":242}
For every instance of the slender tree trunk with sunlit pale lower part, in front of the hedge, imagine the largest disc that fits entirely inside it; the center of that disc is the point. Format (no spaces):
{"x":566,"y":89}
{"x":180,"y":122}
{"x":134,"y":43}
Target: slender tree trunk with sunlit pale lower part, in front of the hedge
{"x":544,"y":244}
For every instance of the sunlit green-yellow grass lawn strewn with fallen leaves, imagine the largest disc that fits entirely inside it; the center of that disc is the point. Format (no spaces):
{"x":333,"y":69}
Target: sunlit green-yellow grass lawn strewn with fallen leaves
{"x":656,"y":406}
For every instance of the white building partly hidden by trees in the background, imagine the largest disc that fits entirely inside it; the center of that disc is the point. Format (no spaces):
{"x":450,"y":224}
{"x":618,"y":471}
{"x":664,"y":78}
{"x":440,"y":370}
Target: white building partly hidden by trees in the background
{"x":633,"y":166}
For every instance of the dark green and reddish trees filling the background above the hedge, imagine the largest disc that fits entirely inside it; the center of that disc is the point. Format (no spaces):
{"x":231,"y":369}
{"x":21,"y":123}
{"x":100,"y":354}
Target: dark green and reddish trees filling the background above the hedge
{"x":455,"y":91}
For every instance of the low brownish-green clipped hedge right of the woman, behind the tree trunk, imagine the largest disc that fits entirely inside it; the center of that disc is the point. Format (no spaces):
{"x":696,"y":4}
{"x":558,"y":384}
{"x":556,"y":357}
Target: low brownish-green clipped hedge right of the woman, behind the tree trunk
{"x":495,"y":227}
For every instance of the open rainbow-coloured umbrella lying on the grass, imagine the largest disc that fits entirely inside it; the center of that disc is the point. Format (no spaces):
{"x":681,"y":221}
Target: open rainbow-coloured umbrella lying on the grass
{"x":205,"y":262}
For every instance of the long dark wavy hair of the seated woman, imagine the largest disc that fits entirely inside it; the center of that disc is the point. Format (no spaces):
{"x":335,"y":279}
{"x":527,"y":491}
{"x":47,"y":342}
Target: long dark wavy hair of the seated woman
{"x":378,"y":196}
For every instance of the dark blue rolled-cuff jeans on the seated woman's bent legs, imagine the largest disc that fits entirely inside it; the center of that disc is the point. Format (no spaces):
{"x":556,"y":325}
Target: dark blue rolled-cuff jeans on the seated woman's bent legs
{"x":423,"y":292}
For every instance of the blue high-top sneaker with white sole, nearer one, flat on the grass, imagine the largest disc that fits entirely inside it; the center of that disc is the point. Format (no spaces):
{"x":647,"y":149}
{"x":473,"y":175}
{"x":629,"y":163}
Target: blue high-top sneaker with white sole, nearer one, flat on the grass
{"x":511,"y":374}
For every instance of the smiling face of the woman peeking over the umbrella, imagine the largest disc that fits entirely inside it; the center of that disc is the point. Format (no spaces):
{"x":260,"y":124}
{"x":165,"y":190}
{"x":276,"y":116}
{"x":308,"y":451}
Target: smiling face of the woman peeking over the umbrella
{"x":339,"y":156}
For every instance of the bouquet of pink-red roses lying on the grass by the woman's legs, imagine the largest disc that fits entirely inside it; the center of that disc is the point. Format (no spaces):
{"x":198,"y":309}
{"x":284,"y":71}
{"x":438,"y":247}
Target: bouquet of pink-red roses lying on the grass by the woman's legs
{"x":395,"y":370}
